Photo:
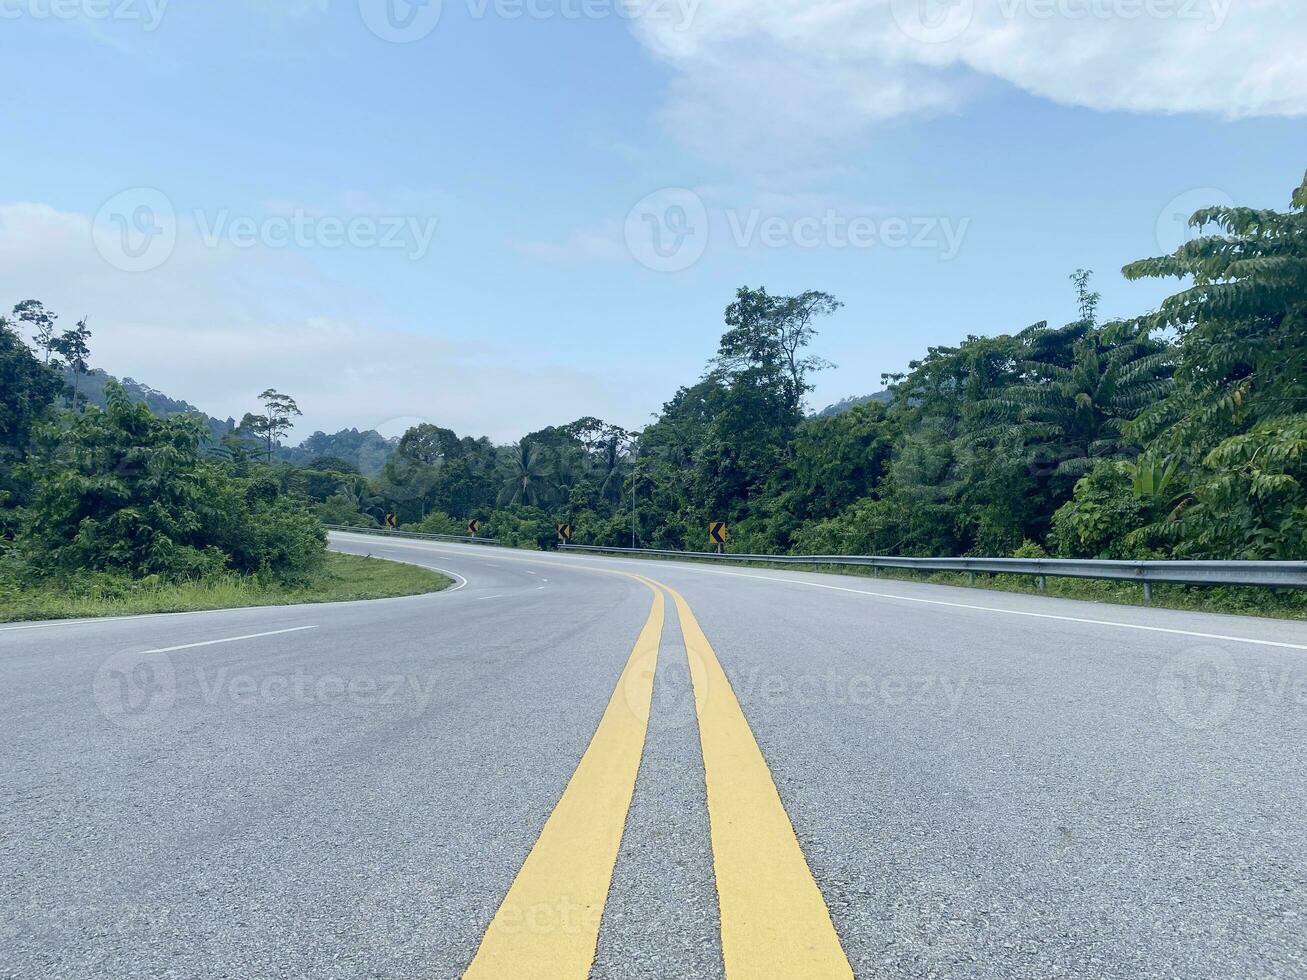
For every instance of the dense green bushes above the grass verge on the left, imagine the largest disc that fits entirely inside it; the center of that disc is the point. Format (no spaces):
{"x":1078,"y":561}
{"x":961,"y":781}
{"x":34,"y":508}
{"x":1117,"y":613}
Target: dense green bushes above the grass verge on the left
{"x":121,"y":492}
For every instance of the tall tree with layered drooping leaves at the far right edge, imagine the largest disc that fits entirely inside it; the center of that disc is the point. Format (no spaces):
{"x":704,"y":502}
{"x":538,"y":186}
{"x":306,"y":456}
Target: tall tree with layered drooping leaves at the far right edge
{"x":1237,"y":416}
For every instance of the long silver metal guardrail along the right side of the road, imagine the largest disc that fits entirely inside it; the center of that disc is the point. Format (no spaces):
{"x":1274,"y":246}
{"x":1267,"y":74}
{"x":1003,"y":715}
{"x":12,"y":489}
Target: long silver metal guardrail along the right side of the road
{"x":1266,"y":574}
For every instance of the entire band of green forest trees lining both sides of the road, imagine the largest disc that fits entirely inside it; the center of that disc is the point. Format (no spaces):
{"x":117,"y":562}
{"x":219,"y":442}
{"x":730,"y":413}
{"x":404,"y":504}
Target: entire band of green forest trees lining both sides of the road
{"x":1181,"y":433}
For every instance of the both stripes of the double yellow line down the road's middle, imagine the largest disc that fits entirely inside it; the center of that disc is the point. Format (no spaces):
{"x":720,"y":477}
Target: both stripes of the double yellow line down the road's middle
{"x":774,"y":921}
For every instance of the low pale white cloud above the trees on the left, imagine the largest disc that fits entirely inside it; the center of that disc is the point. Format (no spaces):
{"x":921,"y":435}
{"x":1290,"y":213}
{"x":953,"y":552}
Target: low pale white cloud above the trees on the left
{"x":218,"y":326}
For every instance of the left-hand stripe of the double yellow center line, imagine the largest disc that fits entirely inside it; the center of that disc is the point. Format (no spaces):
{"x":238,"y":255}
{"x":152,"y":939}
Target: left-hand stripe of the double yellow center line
{"x":548,"y":926}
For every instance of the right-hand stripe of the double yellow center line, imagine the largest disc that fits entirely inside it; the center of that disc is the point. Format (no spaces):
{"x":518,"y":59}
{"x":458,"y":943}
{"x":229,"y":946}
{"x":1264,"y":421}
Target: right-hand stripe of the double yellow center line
{"x":774,"y":919}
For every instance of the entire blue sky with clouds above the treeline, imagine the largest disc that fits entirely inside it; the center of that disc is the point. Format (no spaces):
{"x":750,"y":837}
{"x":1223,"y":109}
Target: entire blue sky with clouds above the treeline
{"x":940,"y":177}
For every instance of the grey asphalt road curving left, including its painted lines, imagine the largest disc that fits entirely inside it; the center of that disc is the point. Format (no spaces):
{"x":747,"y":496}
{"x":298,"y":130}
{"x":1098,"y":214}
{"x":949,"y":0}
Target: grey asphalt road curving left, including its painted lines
{"x":837,"y":776}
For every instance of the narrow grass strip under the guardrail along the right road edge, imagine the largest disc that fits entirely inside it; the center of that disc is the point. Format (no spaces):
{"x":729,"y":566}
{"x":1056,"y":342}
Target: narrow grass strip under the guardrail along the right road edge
{"x":1234,"y":600}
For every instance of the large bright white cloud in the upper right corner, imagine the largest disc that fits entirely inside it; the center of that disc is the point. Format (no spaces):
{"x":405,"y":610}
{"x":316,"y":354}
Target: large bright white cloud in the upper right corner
{"x":790,"y":74}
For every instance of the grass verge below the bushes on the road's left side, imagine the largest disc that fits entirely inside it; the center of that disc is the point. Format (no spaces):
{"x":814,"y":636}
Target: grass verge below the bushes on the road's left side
{"x":344,"y":578}
